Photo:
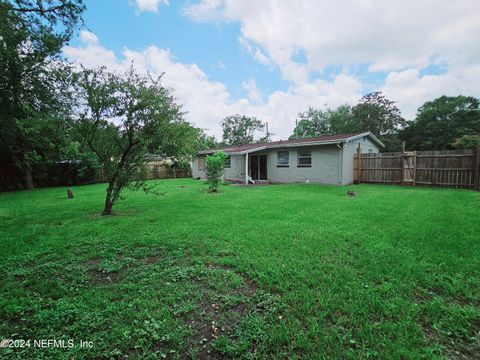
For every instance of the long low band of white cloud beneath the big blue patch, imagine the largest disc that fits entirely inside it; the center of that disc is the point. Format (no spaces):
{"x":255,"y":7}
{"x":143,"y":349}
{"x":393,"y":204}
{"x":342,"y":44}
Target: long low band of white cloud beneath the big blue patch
{"x":208,"y":101}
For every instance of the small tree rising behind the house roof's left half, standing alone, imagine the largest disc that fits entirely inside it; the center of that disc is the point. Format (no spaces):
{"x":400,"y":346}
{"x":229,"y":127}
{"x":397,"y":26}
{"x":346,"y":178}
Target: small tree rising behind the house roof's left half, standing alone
{"x":240,"y":129}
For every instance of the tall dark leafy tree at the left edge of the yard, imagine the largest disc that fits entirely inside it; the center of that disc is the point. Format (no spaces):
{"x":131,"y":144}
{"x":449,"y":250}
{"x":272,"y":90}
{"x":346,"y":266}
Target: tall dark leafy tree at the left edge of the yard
{"x":32,"y":107}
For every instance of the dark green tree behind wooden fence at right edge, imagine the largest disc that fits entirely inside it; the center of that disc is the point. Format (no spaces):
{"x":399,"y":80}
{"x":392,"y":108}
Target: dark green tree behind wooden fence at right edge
{"x":442,"y":123}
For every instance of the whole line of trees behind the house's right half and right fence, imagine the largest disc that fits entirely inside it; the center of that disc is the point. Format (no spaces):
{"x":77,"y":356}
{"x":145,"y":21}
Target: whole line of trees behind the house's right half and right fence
{"x":442,"y":124}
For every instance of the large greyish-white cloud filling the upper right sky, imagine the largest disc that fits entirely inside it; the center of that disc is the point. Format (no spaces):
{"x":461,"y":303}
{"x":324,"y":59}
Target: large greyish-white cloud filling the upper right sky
{"x":395,"y":37}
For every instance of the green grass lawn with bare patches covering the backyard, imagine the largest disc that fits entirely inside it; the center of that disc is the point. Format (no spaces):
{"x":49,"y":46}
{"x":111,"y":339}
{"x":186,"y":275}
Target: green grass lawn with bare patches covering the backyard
{"x":284,"y":271}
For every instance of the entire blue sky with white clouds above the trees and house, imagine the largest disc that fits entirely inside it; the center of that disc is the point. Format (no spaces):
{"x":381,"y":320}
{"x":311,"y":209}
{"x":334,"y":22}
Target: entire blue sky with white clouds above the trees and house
{"x":272,"y":59}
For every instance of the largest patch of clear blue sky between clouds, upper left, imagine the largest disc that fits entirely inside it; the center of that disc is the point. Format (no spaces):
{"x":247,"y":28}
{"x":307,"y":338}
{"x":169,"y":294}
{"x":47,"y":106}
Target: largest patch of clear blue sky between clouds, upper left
{"x":212,"y":46}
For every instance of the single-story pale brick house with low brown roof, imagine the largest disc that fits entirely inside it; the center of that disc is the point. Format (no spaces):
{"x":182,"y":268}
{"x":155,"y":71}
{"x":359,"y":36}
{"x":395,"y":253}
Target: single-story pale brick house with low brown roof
{"x":325,"y":159}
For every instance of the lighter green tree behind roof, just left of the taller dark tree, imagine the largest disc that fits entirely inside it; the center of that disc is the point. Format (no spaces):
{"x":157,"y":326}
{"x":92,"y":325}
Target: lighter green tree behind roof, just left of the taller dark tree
{"x":316,"y":122}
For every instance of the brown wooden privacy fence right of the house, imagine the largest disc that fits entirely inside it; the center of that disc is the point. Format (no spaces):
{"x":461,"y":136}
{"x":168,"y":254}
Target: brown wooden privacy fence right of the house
{"x":446,"y":168}
